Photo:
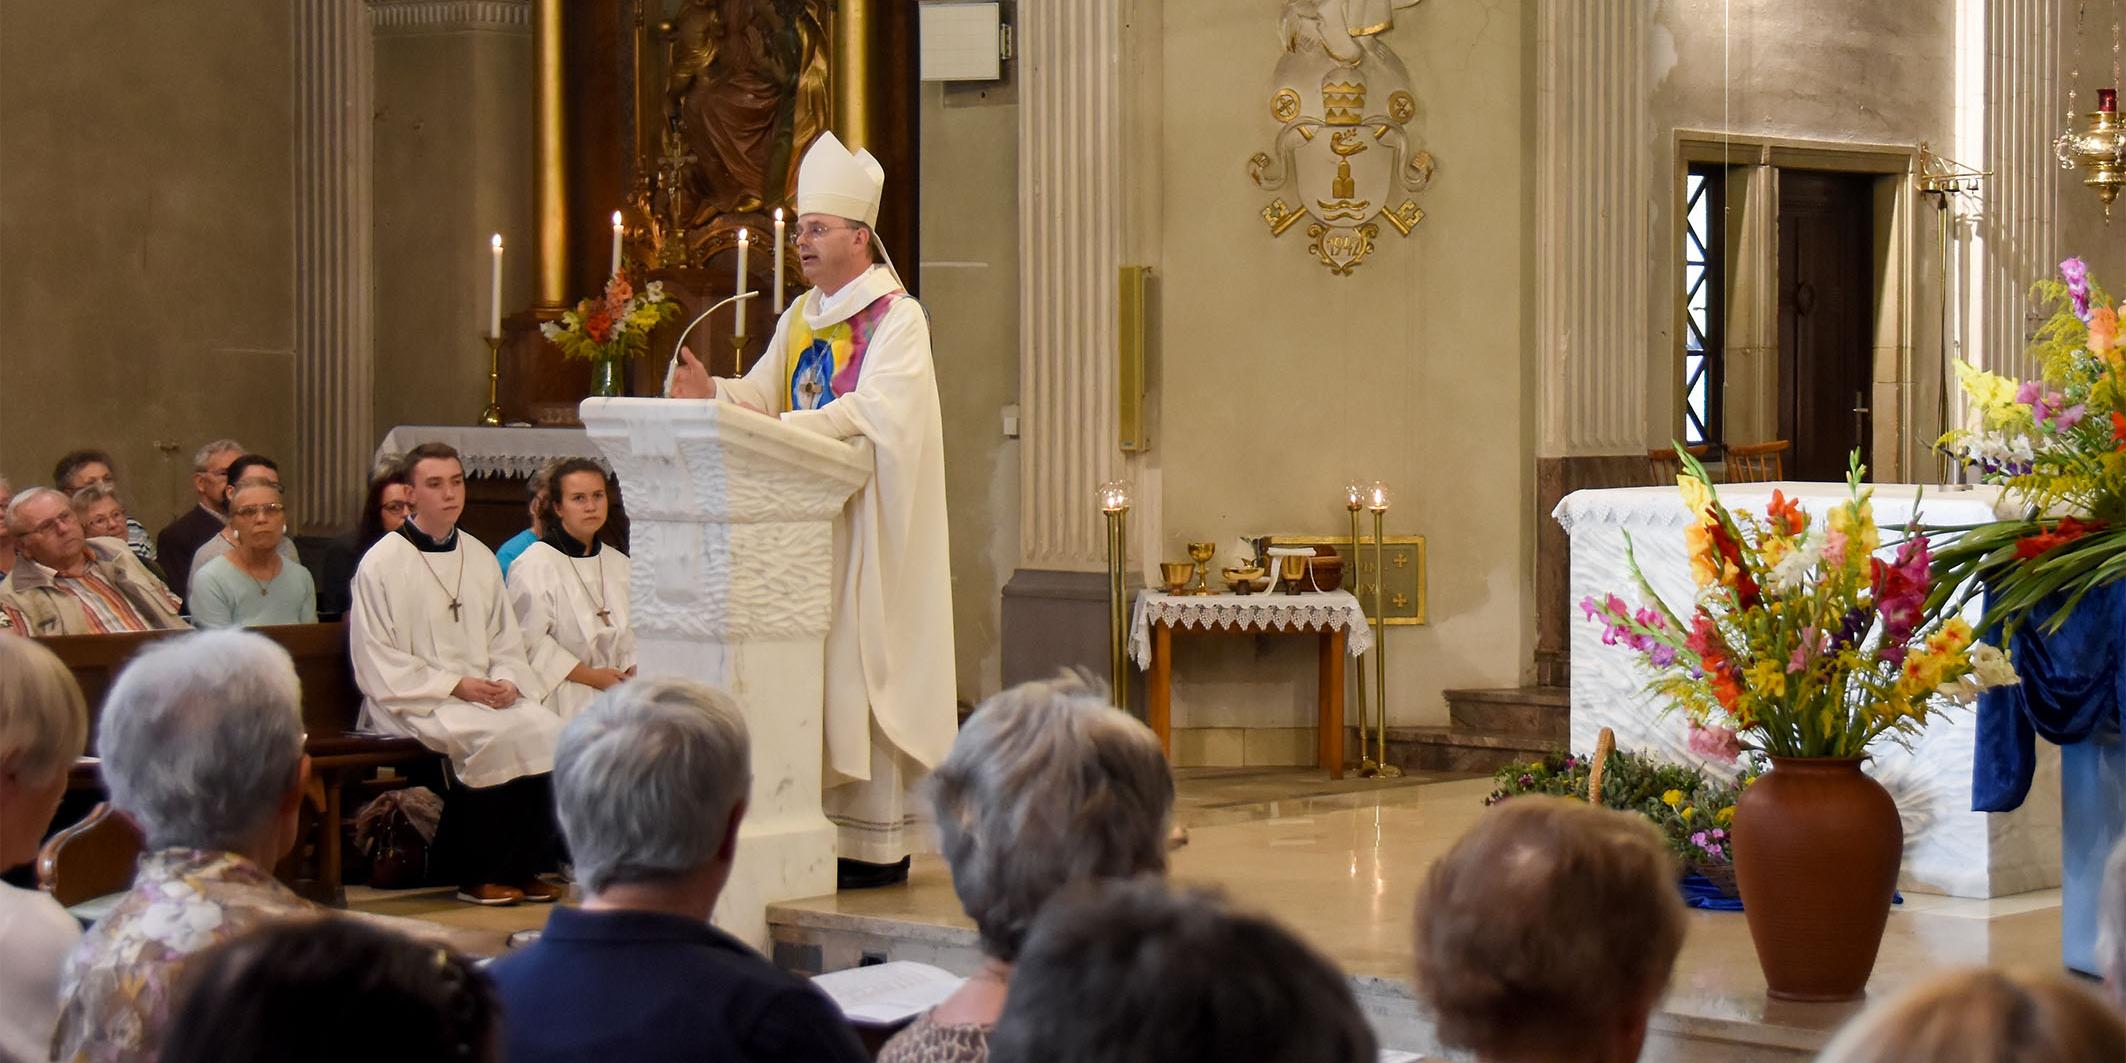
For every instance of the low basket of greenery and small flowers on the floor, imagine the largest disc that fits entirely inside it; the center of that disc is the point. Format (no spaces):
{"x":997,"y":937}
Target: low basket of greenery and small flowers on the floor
{"x":1691,"y":807}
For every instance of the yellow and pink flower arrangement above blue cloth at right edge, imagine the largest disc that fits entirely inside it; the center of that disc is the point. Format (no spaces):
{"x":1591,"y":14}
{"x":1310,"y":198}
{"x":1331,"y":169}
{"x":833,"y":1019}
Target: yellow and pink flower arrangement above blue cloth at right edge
{"x":2057,"y":445}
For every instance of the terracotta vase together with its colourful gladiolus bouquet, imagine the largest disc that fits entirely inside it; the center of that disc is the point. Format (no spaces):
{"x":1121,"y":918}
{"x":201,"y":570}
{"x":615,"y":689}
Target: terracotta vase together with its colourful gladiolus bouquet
{"x":1804,"y":647}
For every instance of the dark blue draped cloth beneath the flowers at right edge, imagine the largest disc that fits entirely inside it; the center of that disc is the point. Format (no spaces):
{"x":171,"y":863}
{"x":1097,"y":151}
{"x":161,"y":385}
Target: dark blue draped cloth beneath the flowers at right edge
{"x":2074,"y":688}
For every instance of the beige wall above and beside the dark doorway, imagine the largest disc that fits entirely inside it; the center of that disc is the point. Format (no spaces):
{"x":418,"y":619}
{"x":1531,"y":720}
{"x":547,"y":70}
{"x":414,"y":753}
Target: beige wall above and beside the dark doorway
{"x":1825,"y":71}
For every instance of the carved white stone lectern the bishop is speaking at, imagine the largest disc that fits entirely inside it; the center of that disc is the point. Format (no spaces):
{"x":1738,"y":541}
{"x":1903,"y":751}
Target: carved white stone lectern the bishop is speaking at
{"x":732,"y":586}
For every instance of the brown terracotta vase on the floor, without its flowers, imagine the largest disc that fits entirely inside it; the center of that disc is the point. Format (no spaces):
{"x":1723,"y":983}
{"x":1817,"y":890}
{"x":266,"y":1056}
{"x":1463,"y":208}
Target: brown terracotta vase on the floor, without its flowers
{"x":1817,"y":854}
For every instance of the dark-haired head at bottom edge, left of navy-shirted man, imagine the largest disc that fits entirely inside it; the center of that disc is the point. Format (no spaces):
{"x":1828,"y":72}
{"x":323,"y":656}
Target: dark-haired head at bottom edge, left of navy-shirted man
{"x":335,"y":992}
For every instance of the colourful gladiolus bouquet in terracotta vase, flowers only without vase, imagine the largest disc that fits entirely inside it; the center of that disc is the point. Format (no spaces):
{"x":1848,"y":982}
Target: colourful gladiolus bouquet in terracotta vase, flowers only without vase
{"x":1800,"y":643}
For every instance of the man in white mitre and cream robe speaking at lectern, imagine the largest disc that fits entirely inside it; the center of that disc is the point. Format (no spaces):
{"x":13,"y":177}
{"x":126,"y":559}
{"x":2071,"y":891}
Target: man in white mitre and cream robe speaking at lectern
{"x":851,"y":360}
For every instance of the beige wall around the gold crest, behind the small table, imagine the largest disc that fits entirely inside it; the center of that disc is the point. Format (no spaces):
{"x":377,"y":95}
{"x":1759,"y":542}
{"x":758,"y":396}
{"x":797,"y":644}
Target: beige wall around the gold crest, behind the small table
{"x":1279,"y":382}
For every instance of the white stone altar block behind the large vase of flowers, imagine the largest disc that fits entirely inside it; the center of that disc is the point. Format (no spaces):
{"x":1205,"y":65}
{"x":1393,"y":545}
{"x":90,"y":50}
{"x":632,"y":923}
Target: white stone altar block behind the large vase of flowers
{"x":1948,"y":847}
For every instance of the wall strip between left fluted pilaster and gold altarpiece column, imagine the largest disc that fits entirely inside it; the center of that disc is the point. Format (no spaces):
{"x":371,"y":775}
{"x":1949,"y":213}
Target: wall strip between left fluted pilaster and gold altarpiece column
{"x":454,"y":165}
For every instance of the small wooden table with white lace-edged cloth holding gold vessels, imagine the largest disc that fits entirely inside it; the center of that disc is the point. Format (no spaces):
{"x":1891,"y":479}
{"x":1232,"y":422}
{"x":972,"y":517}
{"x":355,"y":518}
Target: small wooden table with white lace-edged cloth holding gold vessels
{"x":1330,"y":618}
